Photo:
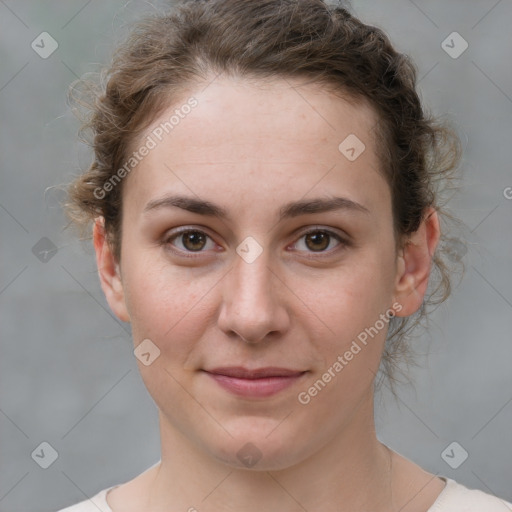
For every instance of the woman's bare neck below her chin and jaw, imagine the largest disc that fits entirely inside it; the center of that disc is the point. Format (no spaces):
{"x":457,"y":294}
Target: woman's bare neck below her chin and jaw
{"x":338,"y":476}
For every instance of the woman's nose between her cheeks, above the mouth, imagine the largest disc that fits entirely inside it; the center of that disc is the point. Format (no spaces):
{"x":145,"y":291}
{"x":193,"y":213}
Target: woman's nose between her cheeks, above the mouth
{"x":253,"y":306}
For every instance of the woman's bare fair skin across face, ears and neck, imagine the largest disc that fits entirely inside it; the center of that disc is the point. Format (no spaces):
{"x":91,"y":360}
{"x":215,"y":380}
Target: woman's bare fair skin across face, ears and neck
{"x":292,"y":307}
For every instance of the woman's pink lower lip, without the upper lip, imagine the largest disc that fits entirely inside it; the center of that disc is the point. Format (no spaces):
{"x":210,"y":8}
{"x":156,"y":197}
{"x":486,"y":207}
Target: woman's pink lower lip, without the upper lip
{"x":260,"y":388}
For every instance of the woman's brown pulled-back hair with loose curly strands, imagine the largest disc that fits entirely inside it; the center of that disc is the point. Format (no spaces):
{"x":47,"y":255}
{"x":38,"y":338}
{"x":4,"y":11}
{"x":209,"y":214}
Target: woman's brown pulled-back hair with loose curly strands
{"x":282,"y":39}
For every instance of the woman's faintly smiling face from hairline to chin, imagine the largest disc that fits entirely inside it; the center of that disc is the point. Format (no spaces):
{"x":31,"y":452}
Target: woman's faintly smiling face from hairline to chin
{"x":266,"y":282}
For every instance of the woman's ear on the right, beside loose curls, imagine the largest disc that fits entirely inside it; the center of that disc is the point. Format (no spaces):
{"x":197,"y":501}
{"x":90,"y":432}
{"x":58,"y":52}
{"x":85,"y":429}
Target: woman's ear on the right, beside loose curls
{"x":414,"y":263}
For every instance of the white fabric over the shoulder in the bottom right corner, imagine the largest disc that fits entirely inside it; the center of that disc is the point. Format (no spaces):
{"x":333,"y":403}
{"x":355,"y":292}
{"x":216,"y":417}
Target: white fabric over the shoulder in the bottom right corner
{"x":456,"y":497}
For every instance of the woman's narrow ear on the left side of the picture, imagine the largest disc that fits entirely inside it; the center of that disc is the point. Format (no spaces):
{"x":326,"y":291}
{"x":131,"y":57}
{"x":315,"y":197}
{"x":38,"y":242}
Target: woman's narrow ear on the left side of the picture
{"x":109,"y":272}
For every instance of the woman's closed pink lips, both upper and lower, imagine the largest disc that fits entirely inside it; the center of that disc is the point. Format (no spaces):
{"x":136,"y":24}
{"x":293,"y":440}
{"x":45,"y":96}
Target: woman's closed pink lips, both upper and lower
{"x":258,"y":383}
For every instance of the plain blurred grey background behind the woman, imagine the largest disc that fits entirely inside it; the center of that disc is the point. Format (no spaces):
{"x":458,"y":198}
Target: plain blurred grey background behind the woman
{"x":68,"y":375}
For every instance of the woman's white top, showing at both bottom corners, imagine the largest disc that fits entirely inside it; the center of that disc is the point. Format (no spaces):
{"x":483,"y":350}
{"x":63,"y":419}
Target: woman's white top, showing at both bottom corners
{"x":454,"y":497}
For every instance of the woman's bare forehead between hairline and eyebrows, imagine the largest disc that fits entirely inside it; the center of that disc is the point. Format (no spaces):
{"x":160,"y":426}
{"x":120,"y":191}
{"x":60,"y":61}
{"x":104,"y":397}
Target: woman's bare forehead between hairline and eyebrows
{"x":251,"y":138}
